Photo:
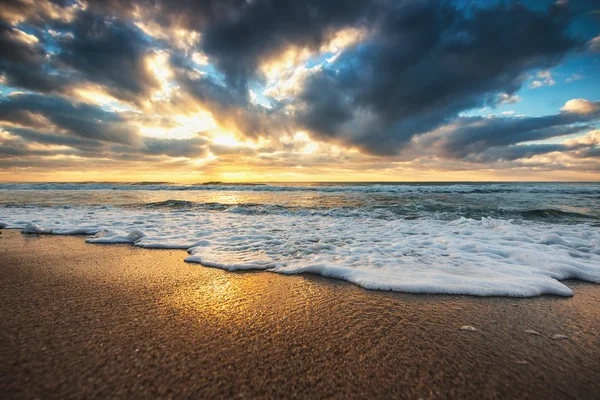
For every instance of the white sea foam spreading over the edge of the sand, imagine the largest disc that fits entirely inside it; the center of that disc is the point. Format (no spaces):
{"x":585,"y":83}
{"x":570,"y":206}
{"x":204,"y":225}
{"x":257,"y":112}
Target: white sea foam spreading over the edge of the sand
{"x":483,"y":257}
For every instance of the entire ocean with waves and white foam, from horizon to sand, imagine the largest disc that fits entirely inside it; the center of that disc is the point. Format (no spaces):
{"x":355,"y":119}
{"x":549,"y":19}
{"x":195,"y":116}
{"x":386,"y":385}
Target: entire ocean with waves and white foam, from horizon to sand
{"x":485,"y":239}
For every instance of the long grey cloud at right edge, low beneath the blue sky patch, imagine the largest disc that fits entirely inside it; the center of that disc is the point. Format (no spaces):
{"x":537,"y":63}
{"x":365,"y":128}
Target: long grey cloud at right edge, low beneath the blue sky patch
{"x":492,"y":139}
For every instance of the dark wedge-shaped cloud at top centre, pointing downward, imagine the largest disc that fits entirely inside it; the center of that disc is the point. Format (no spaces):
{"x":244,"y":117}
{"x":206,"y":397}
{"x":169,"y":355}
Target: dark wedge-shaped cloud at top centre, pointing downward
{"x":238,"y":34}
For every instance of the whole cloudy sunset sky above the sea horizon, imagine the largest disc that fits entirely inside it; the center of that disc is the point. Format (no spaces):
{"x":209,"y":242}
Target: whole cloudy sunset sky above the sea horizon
{"x":313,"y":90}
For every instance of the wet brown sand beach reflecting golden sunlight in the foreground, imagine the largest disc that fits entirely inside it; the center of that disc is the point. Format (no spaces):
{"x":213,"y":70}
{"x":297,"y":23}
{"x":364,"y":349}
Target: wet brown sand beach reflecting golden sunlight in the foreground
{"x":88,"y":321}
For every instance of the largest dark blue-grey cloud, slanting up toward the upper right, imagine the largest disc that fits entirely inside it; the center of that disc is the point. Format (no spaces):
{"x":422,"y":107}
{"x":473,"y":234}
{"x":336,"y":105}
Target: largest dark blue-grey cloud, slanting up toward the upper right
{"x":427,"y":62}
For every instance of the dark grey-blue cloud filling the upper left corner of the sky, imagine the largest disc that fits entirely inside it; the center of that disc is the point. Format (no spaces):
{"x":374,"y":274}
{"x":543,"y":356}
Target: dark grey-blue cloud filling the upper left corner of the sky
{"x":91,"y":47}
